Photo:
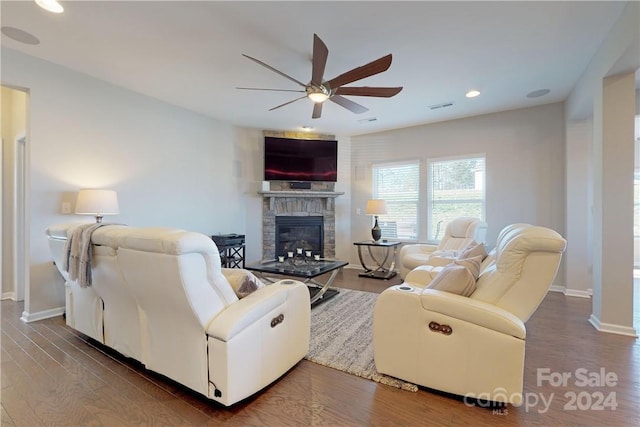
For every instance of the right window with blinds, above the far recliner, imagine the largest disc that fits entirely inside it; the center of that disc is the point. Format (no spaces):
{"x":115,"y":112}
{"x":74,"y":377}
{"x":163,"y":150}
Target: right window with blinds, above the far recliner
{"x":455,"y":188}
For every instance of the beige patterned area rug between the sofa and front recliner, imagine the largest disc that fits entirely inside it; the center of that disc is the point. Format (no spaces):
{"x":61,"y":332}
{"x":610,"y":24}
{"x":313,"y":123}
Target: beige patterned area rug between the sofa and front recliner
{"x":342,"y":337}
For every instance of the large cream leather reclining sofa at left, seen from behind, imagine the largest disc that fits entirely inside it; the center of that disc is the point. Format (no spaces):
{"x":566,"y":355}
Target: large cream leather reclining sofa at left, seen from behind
{"x":160,"y":296}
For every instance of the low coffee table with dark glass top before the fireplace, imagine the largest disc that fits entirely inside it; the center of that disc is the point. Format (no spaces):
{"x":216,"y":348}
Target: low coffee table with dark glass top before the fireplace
{"x":303,"y":269}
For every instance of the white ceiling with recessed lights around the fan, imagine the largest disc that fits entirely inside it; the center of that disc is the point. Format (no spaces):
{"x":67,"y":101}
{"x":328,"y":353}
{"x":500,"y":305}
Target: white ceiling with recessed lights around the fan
{"x":189,"y":54}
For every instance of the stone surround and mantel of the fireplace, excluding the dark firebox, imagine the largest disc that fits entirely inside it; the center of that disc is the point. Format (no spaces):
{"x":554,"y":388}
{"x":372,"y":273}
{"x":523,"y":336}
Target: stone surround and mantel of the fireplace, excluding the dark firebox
{"x":280,"y":200}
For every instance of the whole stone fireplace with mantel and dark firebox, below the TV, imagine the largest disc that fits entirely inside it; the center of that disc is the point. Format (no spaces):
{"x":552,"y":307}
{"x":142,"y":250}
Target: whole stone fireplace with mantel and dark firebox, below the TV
{"x":307,"y":215}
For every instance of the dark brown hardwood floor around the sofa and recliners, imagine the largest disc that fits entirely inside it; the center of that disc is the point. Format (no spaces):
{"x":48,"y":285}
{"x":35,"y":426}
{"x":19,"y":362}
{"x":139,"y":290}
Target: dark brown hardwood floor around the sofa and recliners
{"x":52,"y":375}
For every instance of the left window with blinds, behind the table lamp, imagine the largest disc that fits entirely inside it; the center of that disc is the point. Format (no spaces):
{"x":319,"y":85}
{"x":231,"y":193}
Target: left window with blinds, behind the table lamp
{"x":398,"y":184}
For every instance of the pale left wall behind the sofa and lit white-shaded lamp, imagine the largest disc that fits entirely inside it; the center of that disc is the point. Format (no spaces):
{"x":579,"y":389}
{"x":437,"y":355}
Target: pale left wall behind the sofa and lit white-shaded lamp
{"x":170,"y":167}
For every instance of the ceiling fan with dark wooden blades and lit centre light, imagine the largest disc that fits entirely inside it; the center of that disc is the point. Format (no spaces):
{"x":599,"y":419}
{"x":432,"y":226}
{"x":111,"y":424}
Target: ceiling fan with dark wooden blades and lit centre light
{"x":319,"y":90}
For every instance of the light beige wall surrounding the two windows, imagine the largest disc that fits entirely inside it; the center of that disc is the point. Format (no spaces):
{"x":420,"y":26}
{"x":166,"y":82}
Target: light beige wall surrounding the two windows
{"x":524,"y":152}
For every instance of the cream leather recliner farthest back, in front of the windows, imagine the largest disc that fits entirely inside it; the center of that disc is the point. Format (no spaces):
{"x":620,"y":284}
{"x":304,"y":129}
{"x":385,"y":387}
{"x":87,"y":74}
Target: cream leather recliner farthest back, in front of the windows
{"x":458,"y":233}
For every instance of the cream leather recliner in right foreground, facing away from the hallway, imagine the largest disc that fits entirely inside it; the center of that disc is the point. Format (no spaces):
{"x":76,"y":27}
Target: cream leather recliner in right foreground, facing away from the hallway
{"x":469,"y":346}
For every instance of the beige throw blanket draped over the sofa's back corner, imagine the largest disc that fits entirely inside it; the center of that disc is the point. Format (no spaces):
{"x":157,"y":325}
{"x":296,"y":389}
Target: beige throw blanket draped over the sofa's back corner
{"x":77,"y":253}
